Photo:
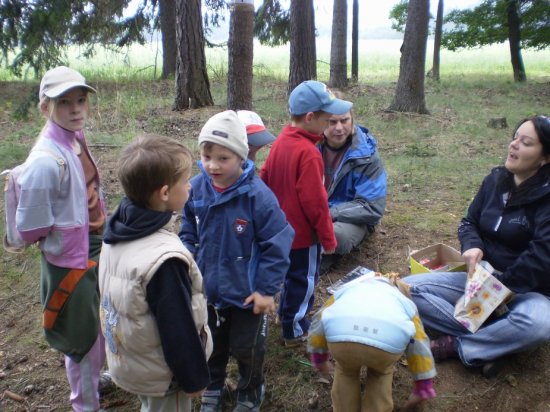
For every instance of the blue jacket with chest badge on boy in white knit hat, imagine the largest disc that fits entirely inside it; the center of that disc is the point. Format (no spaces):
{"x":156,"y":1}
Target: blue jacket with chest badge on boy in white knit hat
{"x":240,"y":238}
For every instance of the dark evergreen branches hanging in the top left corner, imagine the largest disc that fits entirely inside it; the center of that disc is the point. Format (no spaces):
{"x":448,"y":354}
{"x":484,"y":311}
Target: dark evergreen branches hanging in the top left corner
{"x":38,"y":32}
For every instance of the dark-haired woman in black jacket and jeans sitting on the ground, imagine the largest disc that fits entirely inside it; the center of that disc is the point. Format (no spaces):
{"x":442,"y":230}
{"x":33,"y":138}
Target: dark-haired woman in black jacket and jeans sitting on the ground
{"x":508,"y":225}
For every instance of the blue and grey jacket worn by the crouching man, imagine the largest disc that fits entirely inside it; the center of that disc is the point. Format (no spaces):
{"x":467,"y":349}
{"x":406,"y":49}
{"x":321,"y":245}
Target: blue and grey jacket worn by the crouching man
{"x":357,"y":194}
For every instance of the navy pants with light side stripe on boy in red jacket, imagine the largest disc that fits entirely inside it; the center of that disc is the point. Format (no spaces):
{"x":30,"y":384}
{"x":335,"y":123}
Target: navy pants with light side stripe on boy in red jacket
{"x":299,"y":290}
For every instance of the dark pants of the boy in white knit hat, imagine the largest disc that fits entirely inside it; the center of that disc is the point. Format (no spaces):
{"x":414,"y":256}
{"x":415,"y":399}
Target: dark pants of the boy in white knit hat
{"x":241,"y":334}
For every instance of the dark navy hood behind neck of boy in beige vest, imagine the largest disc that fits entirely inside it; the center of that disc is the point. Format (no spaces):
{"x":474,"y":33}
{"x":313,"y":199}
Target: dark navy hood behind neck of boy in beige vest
{"x":130,"y":222}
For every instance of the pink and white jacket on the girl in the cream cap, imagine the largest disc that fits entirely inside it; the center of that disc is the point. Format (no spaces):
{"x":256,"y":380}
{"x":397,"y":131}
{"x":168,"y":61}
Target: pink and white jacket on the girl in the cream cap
{"x":53,"y":206}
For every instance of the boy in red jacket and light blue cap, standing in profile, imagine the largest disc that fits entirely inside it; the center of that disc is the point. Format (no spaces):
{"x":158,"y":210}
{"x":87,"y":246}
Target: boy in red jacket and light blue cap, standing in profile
{"x":294,"y":171}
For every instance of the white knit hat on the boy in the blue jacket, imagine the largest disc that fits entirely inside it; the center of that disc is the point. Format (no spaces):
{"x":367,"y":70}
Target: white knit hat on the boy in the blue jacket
{"x":226,"y":129}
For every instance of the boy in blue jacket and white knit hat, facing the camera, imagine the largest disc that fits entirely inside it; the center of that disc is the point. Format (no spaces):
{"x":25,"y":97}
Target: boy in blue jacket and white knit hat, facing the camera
{"x":241,"y":240}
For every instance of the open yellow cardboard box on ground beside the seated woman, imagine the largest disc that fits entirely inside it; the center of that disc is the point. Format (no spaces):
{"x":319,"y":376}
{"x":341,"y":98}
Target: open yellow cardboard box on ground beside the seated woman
{"x":439,"y":257}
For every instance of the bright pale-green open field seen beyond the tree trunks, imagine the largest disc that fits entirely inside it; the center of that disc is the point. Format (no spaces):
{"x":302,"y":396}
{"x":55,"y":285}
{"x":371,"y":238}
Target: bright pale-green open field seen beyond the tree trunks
{"x":378,"y":62}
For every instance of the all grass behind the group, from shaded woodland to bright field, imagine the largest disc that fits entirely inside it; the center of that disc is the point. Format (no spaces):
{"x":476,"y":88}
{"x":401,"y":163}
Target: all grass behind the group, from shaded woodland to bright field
{"x":440,"y":158}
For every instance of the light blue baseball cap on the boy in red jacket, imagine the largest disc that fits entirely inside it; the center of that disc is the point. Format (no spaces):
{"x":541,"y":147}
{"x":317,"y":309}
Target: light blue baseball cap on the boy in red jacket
{"x":314,"y":96}
